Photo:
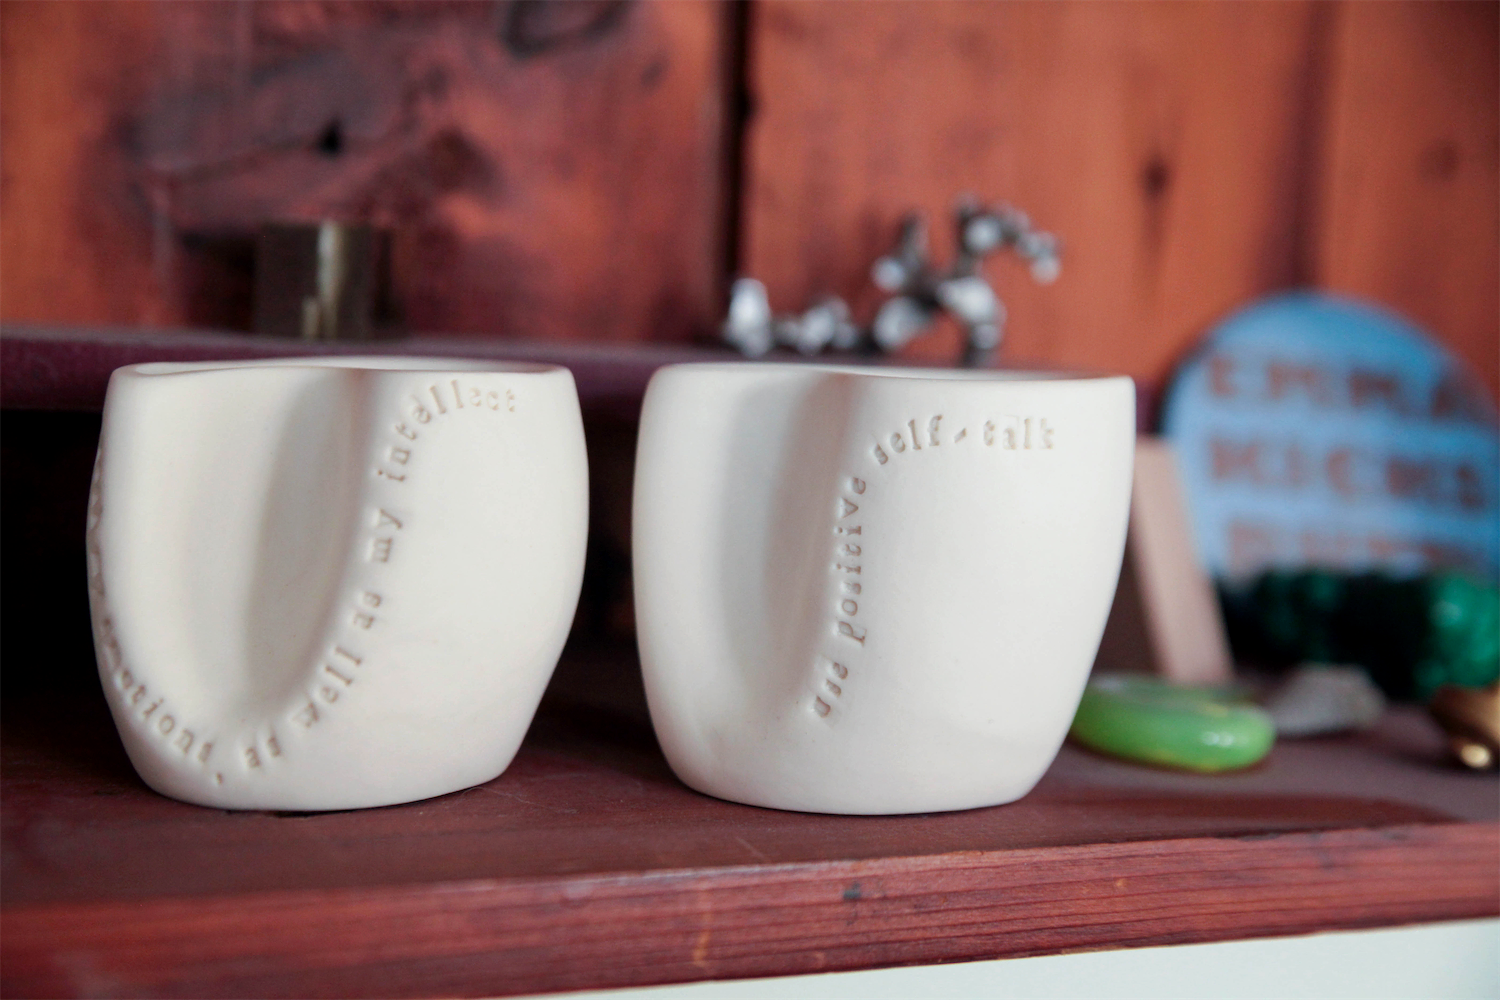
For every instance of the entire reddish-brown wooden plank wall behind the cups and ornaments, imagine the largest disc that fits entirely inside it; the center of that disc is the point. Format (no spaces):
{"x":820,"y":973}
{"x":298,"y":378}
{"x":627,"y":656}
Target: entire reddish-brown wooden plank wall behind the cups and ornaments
{"x":563,"y":169}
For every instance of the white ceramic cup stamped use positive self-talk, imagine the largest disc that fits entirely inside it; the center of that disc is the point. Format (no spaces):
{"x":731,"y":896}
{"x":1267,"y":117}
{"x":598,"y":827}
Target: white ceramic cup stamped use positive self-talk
{"x":874,"y":590}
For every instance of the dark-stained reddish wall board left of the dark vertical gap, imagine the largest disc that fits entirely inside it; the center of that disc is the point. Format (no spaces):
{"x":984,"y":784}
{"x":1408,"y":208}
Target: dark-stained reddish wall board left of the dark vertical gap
{"x":547,"y":169}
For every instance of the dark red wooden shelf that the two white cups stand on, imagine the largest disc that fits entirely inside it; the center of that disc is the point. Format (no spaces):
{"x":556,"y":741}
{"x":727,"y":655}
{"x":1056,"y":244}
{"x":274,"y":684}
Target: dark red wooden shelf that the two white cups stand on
{"x":589,"y":866}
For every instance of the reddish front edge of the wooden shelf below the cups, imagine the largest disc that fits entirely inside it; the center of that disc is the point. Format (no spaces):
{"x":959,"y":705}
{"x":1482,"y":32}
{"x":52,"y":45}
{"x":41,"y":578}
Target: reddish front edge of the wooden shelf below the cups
{"x":497,"y":938}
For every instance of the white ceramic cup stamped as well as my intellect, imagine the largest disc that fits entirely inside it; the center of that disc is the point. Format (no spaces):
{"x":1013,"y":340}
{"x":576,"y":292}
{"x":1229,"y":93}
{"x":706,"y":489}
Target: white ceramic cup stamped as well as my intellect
{"x":332,"y":584}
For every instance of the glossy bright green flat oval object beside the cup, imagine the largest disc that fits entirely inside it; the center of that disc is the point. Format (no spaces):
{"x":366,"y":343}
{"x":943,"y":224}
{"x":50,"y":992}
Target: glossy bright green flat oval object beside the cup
{"x":1171,"y":726}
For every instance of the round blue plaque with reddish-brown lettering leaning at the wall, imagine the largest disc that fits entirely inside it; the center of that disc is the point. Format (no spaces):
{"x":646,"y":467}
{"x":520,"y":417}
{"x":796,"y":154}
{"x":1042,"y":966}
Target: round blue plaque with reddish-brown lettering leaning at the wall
{"x":1318,"y":431}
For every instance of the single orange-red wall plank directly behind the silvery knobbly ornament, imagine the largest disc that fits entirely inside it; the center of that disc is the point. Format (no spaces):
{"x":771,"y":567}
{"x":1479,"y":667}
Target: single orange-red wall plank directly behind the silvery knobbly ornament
{"x":1163,"y":142}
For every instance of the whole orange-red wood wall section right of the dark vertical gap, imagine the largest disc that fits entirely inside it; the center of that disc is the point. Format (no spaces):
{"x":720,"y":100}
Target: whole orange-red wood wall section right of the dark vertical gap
{"x":1190,"y":154}
